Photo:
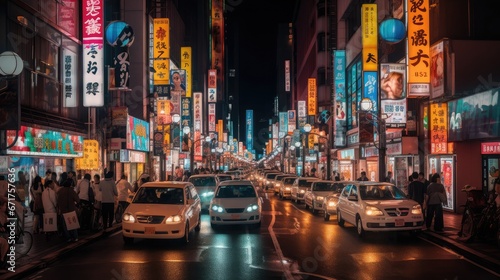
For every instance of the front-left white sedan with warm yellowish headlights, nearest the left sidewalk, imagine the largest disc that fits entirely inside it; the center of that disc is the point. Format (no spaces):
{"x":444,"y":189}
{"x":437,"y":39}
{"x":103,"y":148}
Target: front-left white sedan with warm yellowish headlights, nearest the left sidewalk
{"x":162,"y":210}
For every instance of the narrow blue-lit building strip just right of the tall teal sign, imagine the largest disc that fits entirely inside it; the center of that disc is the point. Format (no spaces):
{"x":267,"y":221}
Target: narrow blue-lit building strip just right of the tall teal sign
{"x":353,"y":74}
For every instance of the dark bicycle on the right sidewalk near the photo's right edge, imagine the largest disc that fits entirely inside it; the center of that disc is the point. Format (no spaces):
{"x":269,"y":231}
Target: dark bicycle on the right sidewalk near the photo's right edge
{"x":473,"y":207}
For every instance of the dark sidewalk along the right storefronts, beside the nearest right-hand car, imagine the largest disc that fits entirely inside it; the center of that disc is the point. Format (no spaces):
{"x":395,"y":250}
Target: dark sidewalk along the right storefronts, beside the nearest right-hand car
{"x":485,"y":253}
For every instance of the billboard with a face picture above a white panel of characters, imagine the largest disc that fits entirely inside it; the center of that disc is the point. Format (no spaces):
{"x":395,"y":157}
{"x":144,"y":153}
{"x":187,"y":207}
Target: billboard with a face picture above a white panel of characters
{"x":393,"y":94}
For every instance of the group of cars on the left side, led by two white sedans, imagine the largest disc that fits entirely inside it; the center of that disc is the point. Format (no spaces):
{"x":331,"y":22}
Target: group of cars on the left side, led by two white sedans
{"x":171,"y":210}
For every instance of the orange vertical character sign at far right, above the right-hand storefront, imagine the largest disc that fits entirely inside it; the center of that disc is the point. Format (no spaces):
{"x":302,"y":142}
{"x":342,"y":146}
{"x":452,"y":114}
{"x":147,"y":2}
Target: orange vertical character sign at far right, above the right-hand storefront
{"x":439,"y":128}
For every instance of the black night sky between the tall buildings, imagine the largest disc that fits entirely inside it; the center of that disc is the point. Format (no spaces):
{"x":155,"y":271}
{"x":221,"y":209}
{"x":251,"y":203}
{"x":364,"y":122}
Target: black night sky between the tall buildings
{"x":258,"y":25}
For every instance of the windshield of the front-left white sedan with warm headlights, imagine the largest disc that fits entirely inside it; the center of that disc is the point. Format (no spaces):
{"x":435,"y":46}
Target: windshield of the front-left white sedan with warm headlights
{"x":159,"y":195}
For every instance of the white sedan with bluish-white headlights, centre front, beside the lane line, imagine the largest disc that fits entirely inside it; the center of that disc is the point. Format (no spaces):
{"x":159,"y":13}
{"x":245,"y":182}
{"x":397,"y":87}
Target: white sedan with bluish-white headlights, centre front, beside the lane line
{"x":235,"y":203}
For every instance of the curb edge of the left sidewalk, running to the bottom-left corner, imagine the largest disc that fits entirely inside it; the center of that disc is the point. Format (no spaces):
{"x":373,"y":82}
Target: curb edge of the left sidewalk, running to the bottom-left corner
{"x":47,"y":259}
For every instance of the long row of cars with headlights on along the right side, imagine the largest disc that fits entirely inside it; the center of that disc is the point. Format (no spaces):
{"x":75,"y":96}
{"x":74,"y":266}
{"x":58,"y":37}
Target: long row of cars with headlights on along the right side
{"x":369,"y":206}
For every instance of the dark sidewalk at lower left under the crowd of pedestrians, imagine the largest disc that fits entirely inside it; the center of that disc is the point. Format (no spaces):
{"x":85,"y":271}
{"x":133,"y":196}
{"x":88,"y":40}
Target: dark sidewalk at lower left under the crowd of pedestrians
{"x":48,"y":250}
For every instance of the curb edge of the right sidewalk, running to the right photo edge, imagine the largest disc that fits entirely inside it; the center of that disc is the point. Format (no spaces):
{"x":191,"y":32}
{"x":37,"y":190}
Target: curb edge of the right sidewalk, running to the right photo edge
{"x":460,"y":248}
